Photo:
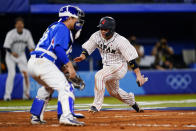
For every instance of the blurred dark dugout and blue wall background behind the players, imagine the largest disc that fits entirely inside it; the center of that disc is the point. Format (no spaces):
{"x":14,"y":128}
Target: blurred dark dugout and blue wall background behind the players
{"x":150,"y":25}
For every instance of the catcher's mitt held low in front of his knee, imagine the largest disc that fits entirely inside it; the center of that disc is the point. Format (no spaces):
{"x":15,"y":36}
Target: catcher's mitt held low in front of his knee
{"x":77,"y":82}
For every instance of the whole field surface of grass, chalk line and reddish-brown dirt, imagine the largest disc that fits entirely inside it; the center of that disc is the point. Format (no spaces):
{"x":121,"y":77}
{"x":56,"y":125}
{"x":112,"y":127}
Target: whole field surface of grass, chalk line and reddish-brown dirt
{"x":162,"y":113}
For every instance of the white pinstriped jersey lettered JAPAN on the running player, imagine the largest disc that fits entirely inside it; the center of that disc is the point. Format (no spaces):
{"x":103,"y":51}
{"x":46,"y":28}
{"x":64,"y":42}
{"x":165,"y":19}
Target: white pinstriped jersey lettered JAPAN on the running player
{"x":113,"y":51}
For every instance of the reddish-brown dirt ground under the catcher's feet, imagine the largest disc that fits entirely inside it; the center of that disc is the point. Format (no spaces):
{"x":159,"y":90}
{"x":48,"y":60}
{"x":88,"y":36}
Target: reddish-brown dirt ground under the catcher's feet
{"x":105,"y":120}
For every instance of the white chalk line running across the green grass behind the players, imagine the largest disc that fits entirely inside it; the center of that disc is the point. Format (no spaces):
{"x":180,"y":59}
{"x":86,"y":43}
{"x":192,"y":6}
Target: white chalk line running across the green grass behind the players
{"x":50,"y":107}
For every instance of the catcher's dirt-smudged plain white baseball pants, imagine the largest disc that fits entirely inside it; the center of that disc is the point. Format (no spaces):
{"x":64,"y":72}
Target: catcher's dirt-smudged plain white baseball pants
{"x":48,"y":72}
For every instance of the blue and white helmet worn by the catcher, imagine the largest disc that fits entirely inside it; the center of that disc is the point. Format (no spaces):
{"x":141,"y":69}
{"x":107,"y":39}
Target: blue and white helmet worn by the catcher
{"x":72,"y":11}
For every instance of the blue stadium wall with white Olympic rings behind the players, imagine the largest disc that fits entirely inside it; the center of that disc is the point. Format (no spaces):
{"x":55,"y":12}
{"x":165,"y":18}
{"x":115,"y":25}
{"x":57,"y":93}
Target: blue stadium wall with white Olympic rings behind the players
{"x":160,"y":82}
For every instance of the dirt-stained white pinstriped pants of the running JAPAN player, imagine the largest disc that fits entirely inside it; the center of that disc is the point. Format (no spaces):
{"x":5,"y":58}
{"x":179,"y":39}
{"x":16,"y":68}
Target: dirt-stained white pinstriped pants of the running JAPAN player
{"x":109,"y":77}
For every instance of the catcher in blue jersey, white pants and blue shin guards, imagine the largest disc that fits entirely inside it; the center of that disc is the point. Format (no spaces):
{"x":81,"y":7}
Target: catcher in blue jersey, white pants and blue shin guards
{"x":45,"y":63}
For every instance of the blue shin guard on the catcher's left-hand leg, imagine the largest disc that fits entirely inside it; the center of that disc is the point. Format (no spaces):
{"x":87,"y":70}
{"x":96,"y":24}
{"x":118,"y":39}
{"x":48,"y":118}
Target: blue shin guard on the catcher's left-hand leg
{"x":37,"y":107}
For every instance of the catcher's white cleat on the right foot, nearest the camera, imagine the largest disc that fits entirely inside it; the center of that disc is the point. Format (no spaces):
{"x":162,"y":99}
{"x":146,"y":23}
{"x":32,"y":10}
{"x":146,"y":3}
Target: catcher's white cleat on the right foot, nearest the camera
{"x":69,"y":120}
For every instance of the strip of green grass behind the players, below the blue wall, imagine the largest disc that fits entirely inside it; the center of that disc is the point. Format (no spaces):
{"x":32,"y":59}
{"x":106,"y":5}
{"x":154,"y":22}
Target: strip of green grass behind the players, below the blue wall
{"x":112,"y":100}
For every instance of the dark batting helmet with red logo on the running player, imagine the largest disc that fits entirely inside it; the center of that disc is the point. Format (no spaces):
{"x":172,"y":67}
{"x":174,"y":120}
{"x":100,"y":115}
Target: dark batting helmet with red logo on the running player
{"x":107,"y":23}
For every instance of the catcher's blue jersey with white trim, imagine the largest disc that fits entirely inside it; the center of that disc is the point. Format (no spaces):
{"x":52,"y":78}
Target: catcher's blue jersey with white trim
{"x":57,"y":34}
